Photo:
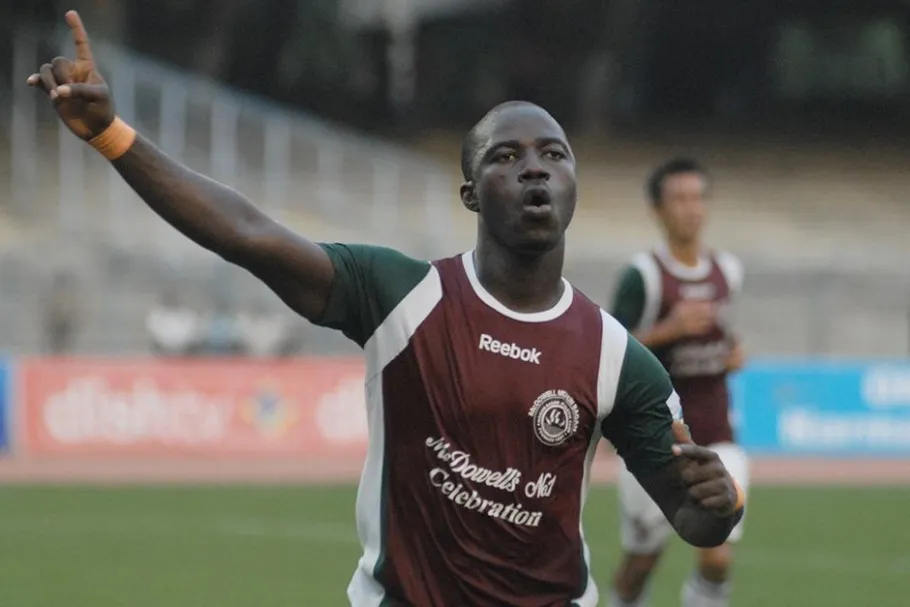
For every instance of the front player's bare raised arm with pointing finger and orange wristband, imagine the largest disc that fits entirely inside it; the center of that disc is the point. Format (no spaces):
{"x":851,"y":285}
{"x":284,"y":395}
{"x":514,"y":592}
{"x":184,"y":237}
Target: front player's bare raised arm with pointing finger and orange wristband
{"x":211,"y":214}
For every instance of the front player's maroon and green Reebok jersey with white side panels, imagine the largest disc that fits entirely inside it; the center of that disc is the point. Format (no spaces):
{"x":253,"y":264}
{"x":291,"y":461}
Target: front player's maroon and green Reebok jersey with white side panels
{"x":482,"y":426}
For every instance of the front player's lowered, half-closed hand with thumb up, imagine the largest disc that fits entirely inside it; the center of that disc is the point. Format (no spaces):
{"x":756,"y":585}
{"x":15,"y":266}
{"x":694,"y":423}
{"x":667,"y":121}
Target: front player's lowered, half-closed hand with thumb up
{"x":708,"y":482}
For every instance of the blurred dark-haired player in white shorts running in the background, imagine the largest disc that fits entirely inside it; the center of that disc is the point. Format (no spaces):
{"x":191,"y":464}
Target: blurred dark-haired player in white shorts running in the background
{"x":676,"y":299}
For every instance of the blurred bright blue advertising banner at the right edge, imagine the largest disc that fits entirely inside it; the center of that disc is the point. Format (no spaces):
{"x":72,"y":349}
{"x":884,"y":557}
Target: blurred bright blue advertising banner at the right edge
{"x":823,"y":408}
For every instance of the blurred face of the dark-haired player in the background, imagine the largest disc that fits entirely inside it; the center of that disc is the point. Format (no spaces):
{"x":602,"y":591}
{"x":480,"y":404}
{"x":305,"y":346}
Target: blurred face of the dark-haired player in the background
{"x":683,"y":207}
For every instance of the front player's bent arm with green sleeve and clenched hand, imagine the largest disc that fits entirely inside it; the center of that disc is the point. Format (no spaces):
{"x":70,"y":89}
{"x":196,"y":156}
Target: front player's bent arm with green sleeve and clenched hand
{"x":693,"y":489}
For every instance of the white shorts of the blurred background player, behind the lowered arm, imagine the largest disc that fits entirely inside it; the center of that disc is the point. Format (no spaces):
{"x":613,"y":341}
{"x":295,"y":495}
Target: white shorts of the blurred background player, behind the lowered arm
{"x":643,"y":527}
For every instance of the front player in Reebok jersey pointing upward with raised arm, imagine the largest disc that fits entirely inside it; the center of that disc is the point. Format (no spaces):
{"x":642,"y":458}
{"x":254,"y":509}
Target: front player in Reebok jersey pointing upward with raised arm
{"x":490,"y":379}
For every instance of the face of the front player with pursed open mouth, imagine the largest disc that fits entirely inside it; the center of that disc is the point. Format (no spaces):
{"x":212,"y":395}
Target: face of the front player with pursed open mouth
{"x":524,"y":187}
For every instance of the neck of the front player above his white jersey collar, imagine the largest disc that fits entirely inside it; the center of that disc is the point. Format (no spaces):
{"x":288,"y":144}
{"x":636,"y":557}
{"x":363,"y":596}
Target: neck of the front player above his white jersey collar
{"x":525,"y":284}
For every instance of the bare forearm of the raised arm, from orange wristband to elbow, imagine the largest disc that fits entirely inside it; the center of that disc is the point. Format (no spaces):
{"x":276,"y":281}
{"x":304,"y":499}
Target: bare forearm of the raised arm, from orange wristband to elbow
{"x":209,"y":213}
